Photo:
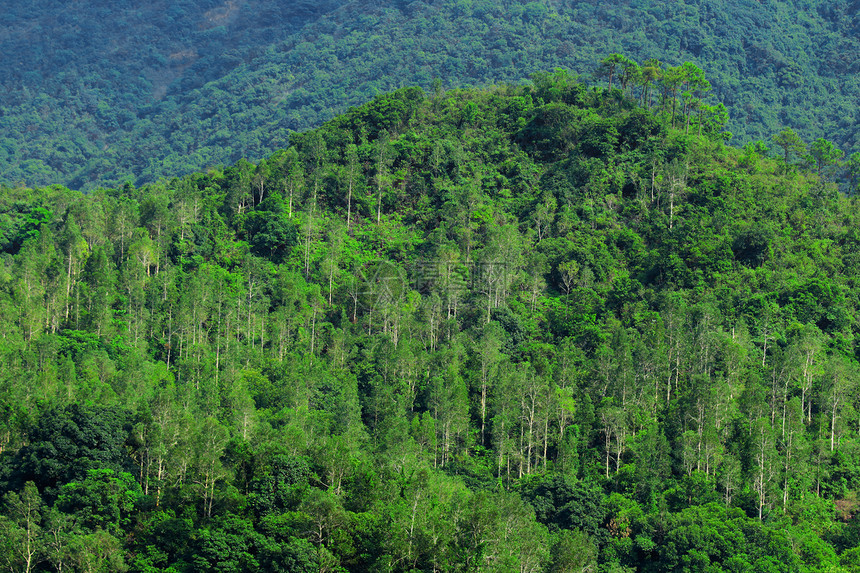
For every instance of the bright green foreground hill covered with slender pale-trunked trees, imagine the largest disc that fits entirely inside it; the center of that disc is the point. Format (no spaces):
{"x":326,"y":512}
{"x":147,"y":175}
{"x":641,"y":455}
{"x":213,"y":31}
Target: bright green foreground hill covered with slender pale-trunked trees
{"x":534,"y":328}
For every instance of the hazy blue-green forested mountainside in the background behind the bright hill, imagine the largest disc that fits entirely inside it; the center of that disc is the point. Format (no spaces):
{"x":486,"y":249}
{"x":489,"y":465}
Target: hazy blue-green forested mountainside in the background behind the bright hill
{"x":103,"y":93}
